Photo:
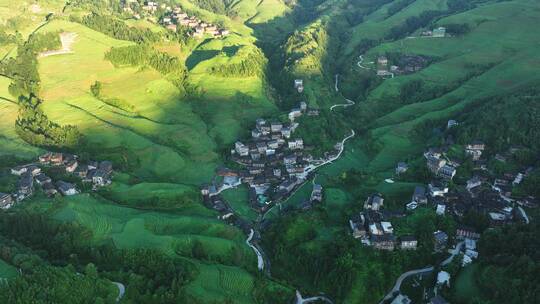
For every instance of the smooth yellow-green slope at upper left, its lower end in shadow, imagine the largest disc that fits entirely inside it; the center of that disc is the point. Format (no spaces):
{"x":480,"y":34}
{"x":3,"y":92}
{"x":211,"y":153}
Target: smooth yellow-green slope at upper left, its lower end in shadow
{"x":157,"y":138}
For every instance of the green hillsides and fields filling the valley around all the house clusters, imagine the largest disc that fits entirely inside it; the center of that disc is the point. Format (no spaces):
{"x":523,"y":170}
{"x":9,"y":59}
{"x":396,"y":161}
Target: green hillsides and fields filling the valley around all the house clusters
{"x":108,"y":81}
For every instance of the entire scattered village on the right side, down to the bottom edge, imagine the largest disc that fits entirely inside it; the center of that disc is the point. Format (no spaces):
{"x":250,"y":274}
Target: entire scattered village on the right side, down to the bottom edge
{"x":484,"y":193}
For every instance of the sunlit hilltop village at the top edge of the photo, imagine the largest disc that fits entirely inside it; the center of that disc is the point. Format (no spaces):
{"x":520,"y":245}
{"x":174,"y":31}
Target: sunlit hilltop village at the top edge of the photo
{"x":172,"y":17}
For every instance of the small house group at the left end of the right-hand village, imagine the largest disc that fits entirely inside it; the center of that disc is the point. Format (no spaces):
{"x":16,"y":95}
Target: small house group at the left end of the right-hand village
{"x":374,"y":228}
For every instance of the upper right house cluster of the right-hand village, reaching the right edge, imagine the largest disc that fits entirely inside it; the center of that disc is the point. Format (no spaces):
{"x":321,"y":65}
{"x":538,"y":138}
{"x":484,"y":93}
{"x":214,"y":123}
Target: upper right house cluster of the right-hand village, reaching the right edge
{"x":484,"y":192}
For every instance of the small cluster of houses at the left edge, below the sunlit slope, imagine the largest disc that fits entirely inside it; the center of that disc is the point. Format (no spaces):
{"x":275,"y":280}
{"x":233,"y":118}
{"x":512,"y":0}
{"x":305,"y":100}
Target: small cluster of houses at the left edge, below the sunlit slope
{"x":30,"y":175}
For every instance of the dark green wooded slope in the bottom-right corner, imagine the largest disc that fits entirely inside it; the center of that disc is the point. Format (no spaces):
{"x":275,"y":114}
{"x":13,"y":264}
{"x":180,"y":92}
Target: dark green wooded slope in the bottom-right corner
{"x":508,"y":264}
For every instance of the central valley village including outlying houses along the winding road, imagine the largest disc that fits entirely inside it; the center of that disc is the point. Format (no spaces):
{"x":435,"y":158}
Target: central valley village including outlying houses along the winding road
{"x":274,"y":163}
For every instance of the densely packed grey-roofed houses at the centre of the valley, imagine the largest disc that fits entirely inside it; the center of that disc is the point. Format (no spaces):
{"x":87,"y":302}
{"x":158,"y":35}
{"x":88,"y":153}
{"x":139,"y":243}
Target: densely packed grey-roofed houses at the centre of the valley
{"x":274,"y":163}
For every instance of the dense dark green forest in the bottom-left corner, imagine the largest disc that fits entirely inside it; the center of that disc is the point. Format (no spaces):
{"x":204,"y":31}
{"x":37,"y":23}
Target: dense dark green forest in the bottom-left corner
{"x":149,"y":275}
